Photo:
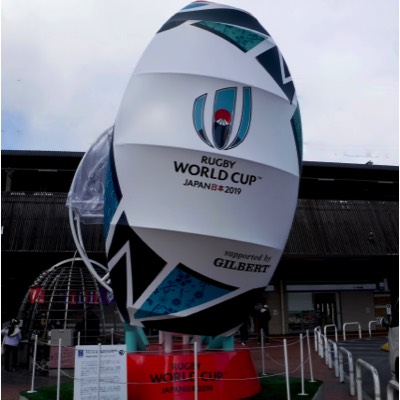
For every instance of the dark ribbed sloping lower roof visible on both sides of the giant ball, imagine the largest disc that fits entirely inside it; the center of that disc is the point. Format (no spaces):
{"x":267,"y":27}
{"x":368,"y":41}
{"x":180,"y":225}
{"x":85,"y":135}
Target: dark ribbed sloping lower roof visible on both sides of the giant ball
{"x":321,"y":228}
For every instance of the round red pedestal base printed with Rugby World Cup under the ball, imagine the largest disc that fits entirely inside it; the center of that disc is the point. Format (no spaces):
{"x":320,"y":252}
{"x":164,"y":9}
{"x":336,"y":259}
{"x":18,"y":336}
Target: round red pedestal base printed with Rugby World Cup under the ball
{"x":222,"y":375}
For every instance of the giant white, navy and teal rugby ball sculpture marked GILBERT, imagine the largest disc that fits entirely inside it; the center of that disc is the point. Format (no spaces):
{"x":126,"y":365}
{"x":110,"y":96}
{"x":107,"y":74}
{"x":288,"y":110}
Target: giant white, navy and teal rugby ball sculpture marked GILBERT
{"x":203,"y":173}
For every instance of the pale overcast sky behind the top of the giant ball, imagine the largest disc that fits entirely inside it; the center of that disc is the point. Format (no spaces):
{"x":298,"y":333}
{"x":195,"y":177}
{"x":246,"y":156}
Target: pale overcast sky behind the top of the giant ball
{"x":66,"y":64}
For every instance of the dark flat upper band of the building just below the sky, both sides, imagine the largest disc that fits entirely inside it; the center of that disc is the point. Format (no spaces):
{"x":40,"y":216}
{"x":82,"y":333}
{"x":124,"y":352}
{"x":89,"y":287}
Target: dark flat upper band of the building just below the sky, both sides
{"x":53,"y":171}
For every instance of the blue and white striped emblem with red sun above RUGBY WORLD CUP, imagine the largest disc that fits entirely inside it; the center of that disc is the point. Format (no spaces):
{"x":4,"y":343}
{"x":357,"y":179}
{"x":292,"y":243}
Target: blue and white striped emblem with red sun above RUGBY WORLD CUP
{"x":224,"y":108}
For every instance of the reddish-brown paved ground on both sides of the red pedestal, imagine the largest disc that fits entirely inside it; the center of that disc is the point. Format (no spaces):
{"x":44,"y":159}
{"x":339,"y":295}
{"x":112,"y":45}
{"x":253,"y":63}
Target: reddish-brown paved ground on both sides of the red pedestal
{"x":273,"y":363}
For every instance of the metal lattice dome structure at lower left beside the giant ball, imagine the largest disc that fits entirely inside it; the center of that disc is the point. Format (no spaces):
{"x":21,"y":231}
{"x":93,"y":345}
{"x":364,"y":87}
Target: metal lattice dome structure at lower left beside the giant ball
{"x":67,"y":297}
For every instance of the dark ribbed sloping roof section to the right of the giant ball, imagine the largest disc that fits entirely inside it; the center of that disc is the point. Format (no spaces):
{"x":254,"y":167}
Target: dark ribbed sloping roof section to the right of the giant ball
{"x":353,"y":228}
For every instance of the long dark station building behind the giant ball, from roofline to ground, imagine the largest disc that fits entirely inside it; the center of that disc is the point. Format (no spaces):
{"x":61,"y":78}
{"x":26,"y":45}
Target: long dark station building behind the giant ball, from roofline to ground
{"x":340,"y":264}
